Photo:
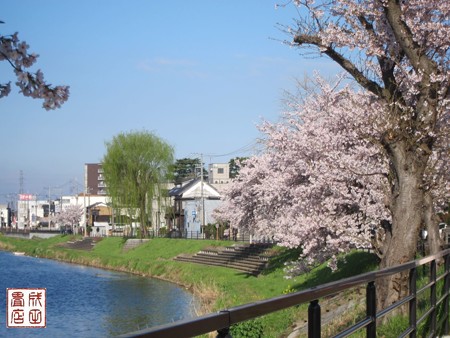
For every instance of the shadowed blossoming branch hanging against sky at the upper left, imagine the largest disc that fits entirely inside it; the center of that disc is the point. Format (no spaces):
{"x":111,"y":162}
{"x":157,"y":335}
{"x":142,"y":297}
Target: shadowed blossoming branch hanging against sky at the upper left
{"x":31,"y":84}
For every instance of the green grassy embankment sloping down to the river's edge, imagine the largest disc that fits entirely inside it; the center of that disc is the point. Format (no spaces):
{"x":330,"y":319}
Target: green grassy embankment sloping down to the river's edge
{"x":216,"y":287}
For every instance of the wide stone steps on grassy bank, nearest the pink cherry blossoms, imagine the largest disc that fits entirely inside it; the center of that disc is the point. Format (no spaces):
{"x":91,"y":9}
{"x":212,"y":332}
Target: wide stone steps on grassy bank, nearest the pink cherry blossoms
{"x":251,"y":259}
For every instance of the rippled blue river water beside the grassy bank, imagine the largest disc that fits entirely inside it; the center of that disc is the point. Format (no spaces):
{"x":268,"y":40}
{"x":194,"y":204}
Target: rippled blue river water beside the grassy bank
{"x":88,"y":302}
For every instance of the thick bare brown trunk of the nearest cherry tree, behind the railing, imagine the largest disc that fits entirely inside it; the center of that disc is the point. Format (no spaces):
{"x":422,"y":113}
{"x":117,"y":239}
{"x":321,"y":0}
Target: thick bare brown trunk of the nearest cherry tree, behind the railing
{"x":406,"y":205}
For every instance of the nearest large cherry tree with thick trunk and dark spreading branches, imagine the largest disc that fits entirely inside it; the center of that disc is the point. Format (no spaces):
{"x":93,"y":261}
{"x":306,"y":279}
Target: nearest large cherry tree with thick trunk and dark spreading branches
{"x":399,"y":52}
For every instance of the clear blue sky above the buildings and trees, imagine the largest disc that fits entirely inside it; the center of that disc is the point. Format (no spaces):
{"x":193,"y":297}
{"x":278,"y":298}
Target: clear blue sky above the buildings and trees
{"x":199,"y":74}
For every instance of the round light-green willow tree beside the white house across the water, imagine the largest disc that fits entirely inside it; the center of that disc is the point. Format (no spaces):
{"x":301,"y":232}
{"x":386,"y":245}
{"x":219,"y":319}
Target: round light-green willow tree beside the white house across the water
{"x":136,"y":167}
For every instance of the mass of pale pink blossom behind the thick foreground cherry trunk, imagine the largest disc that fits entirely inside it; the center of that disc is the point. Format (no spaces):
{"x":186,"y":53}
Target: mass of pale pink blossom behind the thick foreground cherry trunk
{"x":323,"y":183}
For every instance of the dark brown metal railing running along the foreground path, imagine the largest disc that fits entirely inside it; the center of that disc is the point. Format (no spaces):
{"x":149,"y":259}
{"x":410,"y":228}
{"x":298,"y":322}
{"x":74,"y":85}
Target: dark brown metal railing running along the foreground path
{"x":224,"y":319}
